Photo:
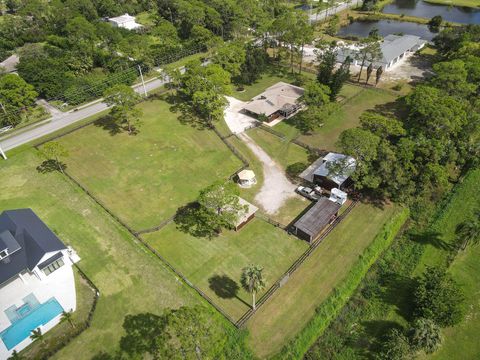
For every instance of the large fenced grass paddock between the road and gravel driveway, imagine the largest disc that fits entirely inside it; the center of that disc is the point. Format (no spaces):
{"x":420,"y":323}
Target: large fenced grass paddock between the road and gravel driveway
{"x":145,"y":178}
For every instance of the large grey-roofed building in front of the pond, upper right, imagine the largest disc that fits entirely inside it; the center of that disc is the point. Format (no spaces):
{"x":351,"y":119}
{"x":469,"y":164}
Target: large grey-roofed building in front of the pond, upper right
{"x":394,"y":49}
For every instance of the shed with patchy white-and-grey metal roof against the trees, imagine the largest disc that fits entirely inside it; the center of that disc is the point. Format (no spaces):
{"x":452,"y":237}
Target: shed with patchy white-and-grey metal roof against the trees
{"x":334,"y":171}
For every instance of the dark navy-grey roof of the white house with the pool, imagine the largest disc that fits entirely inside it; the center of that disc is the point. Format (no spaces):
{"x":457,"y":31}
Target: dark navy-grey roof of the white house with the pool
{"x":34,"y":240}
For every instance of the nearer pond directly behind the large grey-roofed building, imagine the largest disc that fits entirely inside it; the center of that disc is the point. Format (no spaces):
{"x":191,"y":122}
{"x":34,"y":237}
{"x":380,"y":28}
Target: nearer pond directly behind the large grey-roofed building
{"x":387,"y":27}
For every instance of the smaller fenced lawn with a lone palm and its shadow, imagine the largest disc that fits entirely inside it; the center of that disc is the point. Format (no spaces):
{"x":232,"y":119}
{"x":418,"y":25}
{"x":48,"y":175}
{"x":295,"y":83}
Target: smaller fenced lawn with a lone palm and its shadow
{"x":215,"y":265}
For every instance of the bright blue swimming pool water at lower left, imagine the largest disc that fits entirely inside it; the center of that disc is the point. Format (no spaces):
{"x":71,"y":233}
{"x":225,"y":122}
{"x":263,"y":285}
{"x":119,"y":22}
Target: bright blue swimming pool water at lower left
{"x":22,"y":328}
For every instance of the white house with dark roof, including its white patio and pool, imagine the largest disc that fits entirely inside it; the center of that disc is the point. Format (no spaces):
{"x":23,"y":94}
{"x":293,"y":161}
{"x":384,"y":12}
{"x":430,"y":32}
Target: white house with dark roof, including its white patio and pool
{"x":36,"y":279}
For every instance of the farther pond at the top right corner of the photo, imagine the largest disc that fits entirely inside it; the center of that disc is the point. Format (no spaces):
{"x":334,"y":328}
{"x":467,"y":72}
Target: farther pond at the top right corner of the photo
{"x":423,"y":9}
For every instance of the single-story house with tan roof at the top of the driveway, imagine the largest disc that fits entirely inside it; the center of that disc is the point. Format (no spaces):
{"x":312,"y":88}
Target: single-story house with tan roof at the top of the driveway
{"x":279,"y":100}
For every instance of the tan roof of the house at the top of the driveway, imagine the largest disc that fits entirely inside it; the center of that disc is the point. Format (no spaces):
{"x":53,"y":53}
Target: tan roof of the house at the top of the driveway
{"x":276,"y":97}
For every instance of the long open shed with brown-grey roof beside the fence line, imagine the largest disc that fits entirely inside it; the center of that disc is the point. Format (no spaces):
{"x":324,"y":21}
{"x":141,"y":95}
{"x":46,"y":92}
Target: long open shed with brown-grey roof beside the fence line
{"x":310,"y":226}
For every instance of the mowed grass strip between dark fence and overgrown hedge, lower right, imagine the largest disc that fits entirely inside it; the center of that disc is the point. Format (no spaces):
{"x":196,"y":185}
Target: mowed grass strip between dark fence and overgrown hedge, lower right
{"x":292,"y":306}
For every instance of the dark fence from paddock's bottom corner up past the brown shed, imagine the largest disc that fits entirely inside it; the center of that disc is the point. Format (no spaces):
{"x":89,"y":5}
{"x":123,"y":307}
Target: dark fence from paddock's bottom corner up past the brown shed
{"x":283,"y":279}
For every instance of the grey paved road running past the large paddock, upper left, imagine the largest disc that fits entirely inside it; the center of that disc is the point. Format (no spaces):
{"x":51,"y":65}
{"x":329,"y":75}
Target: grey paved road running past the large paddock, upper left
{"x":61,"y":120}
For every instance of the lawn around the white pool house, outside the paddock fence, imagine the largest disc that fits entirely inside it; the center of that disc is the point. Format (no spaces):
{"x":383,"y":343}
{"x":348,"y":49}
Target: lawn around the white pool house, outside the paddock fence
{"x":129,"y":278}
